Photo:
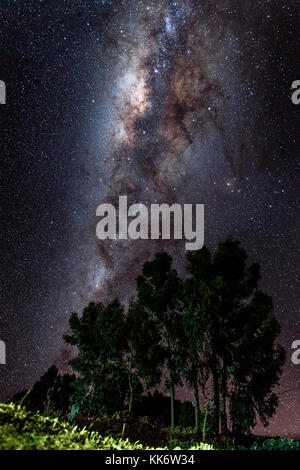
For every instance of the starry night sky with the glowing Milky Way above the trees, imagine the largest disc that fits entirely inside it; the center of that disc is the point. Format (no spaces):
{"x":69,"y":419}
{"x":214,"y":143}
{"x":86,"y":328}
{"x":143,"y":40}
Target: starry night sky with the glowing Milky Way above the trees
{"x":162,"y":101}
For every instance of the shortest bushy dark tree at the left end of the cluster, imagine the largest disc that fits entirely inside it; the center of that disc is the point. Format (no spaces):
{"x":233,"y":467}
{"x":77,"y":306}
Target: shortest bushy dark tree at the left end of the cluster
{"x":100,"y":338}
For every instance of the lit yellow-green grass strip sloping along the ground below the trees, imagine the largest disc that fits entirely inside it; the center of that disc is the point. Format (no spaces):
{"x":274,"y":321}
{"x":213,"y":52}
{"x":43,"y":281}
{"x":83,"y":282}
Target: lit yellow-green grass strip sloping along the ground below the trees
{"x":21,"y":429}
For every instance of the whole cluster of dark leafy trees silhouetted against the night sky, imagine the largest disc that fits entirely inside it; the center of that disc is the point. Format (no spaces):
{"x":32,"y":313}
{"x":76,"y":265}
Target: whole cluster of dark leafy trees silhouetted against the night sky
{"x":212,"y":330}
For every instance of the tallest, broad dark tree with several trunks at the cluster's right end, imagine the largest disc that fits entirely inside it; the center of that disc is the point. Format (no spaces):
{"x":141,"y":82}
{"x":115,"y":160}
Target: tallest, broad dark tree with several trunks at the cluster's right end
{"x":240,"y":330}
